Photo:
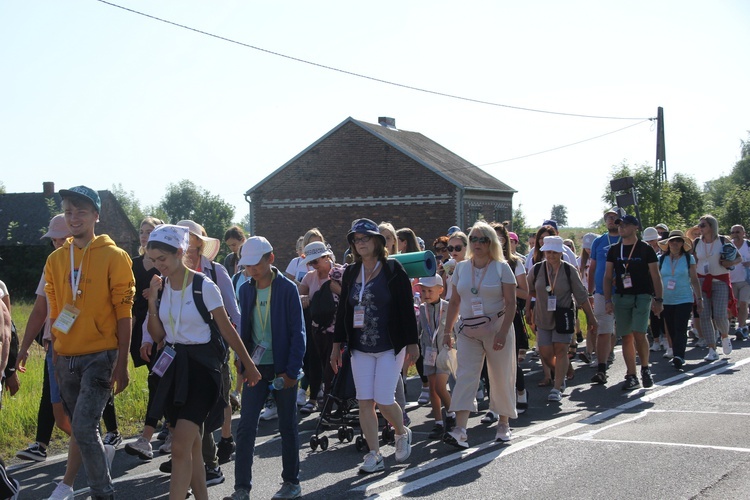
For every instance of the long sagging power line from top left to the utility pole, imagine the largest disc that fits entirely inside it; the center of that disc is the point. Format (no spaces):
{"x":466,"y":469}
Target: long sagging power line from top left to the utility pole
{"x":367,"y":77}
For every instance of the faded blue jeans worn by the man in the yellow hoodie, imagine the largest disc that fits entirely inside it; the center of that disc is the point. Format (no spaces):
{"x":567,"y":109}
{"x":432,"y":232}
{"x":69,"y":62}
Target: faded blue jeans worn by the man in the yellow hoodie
{"x":85,"y":388}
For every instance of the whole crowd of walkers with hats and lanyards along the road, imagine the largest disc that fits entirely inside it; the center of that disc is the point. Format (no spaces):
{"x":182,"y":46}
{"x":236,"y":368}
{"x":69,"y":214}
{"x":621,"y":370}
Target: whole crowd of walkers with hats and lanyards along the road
{"x":188,"y":320}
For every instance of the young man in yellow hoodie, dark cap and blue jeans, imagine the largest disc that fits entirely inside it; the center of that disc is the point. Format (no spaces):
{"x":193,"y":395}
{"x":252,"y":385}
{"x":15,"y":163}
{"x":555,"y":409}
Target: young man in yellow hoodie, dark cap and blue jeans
{"x":90,"y":288}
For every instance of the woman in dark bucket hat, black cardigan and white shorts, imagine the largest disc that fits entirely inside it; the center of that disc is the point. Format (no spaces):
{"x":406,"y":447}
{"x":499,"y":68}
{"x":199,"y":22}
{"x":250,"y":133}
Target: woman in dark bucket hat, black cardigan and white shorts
{"x":376,"y":319}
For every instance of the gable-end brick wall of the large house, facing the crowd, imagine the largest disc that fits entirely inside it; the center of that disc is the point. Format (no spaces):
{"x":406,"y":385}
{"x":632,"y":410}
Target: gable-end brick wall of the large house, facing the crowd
{"x":348,"y":175}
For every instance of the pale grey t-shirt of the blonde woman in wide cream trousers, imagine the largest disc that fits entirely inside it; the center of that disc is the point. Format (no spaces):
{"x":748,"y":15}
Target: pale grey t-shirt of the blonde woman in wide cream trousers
{"x":490,"y":291}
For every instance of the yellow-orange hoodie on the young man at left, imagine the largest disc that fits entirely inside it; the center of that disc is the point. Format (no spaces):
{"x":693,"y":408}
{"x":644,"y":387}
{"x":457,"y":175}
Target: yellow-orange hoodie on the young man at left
{"x":106,"y":291}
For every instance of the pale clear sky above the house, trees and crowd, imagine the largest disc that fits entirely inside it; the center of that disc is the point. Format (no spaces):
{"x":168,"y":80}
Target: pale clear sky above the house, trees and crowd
{"x":93,"y":94}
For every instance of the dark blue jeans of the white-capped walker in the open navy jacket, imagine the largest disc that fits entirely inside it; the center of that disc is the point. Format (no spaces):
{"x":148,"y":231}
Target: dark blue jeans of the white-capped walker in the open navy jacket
{"x":253,"y":399}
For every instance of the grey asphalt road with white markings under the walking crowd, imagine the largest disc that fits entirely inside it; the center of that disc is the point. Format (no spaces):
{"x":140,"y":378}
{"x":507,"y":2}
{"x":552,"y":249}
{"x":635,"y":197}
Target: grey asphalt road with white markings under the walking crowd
{"x":683,"y":438}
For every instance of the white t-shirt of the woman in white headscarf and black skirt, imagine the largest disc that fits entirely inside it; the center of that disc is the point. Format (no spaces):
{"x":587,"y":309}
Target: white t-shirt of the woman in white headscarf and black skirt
{"x":189,"y":325}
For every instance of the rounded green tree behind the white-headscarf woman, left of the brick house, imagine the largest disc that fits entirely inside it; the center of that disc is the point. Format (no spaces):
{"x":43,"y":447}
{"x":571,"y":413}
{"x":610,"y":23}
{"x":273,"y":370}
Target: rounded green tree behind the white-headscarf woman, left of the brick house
{"x":185,"y":200}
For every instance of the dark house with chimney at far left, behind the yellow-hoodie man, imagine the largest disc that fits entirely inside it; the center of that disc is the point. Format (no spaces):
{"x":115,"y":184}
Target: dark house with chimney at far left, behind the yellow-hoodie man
{"x":24,"y":218}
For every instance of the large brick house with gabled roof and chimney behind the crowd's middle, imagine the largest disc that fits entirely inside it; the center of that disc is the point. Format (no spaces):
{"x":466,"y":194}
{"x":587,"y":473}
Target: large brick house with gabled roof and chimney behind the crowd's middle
{"x":360,"y":169}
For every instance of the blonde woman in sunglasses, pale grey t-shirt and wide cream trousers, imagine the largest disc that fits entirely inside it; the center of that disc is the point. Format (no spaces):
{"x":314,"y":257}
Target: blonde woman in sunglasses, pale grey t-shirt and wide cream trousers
{"x":484,"y":294}
